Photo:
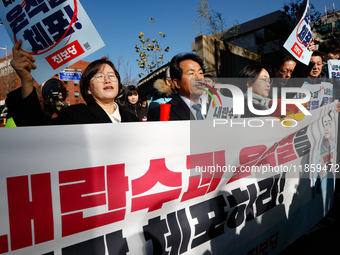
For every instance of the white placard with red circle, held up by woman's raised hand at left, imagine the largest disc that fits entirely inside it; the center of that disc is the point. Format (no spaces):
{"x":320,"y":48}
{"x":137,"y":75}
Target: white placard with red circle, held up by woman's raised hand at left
{"x":56,"y":33}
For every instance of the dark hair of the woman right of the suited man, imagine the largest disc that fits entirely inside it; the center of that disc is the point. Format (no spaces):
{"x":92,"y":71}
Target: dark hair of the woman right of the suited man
{"x":250,"y":73}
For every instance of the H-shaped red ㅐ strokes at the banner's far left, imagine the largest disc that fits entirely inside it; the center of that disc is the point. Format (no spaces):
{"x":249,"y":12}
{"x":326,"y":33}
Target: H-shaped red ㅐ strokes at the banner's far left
{"x":30,"y":202}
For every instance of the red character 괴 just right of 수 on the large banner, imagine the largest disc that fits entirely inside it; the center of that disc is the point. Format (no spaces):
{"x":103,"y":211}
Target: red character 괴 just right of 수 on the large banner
{"x":206,"y":181}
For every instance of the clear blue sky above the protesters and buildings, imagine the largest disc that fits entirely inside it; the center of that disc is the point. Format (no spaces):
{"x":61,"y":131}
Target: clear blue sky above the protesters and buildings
{"x":119,"y":23}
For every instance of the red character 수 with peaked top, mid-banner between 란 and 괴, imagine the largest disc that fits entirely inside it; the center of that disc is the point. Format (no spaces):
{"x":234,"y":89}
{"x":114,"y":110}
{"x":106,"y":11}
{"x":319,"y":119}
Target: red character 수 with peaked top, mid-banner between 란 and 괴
{"x":157,"y":172}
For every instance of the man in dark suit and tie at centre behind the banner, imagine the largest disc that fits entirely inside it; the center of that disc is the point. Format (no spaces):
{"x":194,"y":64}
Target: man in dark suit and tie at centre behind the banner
{"x":186,"y":71}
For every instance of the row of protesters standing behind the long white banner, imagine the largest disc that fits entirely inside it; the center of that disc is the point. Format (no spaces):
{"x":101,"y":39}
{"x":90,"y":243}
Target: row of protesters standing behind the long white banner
{"x":100,"y":87}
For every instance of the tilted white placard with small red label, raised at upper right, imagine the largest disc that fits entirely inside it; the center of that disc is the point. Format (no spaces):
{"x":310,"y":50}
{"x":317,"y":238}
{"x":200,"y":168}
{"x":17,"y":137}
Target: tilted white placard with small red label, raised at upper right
{"x":298,"y":41}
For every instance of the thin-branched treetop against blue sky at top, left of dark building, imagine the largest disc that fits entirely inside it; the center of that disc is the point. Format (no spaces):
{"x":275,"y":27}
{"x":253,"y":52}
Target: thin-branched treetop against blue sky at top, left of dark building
{"x":208,"y":21}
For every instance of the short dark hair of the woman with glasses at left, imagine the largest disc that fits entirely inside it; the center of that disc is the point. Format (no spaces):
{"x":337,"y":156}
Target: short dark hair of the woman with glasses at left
{"x":89,"y":72}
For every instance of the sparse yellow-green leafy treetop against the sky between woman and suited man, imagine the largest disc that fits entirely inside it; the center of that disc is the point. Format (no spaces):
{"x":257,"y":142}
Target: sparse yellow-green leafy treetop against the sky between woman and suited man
{"x":150,"y":53}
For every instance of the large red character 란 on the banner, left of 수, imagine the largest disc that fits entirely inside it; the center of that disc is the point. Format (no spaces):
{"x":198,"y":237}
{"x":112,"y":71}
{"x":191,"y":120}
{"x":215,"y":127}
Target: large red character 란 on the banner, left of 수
{"x":85,"y":188}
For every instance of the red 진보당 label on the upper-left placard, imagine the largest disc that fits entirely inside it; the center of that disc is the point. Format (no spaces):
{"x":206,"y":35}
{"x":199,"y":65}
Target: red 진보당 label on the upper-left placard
{"x":65,"y":54}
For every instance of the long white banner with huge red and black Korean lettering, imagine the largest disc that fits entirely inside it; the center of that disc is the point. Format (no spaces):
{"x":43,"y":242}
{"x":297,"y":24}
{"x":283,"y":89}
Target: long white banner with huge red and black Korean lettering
{"x":243,"y":187}
